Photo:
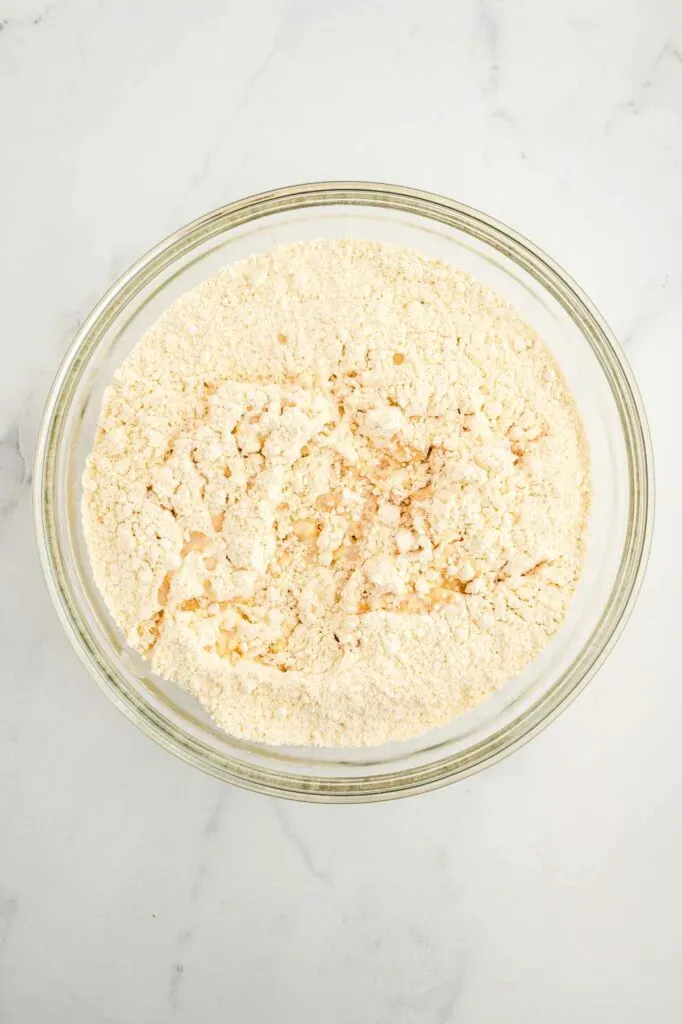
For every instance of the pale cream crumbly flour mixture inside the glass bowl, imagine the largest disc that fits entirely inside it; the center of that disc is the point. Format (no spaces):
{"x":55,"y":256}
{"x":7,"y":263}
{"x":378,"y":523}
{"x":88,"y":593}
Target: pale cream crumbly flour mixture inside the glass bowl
{"x":340,"y":493}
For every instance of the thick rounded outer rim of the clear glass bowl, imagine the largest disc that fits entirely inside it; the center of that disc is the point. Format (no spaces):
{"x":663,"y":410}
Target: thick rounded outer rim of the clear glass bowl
{"x":352,"y":789}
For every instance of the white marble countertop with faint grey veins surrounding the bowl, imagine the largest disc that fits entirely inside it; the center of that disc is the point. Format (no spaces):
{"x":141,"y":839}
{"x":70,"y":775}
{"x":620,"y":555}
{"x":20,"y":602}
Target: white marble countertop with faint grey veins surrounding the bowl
{"x":134,"y":890}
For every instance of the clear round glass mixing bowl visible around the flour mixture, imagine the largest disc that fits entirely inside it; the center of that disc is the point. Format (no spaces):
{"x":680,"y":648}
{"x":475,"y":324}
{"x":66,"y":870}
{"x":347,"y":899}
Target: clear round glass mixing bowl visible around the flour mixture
{"x":622,"y":467}
